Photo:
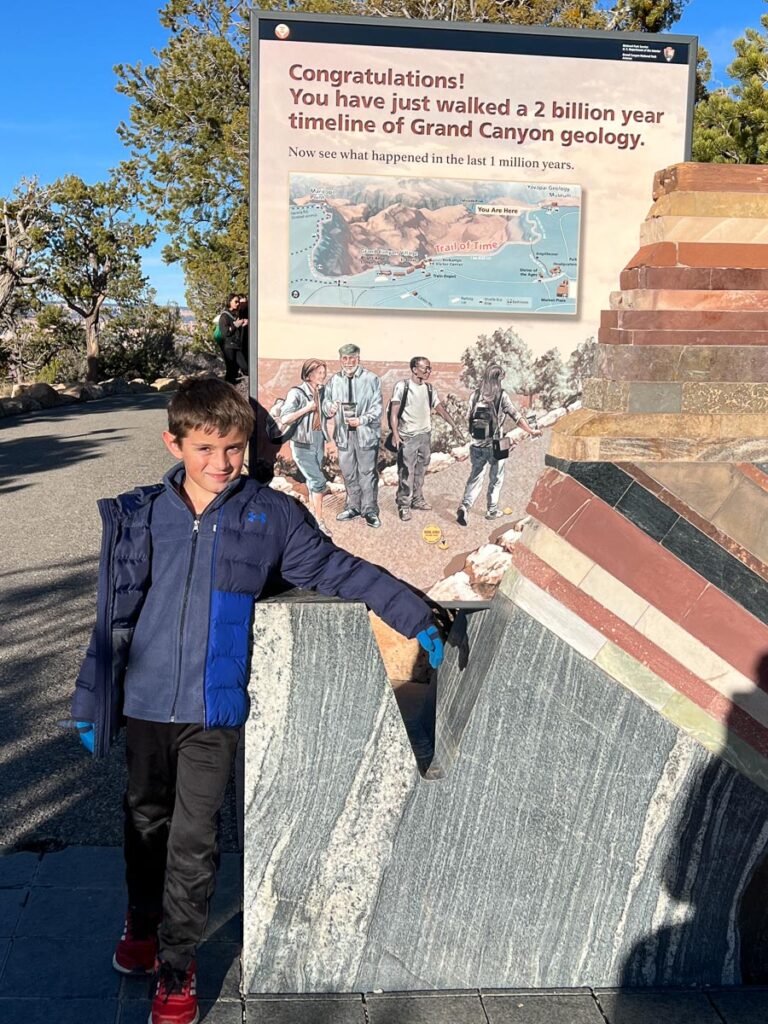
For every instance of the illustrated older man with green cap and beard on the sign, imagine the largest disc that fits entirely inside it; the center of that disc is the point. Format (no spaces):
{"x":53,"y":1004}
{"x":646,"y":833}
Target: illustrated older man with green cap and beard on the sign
{"x":354,"y":401}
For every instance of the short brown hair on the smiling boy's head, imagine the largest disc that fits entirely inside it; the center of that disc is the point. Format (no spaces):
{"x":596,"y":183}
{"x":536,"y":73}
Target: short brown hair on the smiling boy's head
{"x":211,"y":405}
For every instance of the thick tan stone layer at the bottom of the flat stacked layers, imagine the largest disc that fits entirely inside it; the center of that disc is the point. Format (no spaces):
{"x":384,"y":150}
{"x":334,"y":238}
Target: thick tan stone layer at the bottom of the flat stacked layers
{"x":593,"y":437}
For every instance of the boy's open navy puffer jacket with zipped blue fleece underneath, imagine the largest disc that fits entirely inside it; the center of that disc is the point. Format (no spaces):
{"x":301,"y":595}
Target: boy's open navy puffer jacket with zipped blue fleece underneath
{"x":176,"y":602}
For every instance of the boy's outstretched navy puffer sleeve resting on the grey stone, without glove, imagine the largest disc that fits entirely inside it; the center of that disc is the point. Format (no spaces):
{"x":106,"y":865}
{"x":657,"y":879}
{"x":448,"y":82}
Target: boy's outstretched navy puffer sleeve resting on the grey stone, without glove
{"x":311,"y":561}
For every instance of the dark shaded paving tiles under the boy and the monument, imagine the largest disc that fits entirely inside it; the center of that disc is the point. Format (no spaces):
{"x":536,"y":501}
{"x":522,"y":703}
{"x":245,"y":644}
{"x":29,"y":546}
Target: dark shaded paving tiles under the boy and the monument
{"x":61,"y":914}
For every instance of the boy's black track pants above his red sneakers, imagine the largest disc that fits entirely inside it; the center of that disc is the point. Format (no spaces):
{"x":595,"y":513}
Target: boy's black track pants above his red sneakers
{"x":178,"y":776}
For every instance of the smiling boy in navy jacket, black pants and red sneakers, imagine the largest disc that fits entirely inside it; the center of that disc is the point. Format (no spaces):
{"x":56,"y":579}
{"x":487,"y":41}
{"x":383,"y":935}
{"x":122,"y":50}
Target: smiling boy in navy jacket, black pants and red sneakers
{"x":182,"y":565}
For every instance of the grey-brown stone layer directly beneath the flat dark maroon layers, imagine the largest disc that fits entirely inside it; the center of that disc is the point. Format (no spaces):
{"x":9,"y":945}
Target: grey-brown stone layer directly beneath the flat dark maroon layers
{"x":700,"y":364}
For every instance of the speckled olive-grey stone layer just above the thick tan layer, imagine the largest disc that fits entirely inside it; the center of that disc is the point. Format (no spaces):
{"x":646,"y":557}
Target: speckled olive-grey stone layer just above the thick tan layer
{"x":609,"y":395}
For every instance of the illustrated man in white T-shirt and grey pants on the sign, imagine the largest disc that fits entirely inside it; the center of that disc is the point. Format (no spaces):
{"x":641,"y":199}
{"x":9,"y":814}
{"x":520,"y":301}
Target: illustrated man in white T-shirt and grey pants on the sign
{"x":411,"y":423}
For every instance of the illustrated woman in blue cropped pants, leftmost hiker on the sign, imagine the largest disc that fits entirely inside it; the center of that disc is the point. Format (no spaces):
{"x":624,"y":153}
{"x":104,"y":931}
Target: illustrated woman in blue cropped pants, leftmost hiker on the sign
{"x":304,"y":425}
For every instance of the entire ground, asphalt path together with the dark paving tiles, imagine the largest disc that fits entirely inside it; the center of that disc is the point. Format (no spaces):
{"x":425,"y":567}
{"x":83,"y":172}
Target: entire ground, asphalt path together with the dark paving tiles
{"x":62,"y":892}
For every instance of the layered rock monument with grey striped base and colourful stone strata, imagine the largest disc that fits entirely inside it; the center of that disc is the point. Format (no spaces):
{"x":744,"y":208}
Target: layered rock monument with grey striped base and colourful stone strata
{"x":588,"y":804}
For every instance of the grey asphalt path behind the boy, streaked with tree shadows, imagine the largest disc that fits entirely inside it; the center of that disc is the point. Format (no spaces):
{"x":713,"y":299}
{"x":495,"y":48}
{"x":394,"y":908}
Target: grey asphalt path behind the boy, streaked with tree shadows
{"x":54,"y":467}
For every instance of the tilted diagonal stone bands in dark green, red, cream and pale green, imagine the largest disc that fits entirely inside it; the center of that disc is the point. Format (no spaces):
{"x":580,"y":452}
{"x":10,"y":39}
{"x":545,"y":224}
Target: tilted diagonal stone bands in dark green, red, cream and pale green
{"x":616,"y":564}
